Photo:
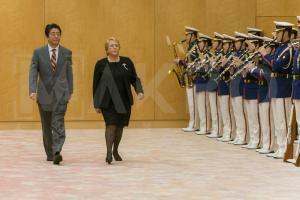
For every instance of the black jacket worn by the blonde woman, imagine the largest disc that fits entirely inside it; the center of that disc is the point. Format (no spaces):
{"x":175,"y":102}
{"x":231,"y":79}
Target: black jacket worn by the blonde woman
{"x":114,"y":83}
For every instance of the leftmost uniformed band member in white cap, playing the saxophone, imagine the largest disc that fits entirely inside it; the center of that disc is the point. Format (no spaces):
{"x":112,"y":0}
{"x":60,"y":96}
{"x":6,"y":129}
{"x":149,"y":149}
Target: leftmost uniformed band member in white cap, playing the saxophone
{"x":191,"y":40}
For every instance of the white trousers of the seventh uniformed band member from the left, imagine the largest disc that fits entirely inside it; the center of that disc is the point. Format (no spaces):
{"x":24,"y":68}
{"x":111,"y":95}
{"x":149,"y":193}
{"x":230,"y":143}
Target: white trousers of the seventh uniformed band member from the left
{"x":265,"y":122}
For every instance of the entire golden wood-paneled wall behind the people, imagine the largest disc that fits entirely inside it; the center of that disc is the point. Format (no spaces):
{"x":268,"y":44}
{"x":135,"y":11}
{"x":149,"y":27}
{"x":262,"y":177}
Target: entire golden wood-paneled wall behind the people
{"x":141,"y":26}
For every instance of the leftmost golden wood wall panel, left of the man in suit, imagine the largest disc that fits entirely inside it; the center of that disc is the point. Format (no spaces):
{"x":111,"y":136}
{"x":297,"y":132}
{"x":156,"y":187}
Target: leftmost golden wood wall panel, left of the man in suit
{"x":21,"y":24}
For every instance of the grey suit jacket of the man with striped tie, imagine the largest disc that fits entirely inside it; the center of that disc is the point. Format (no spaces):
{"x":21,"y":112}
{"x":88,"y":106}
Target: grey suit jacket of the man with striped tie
{"x":51,"y":86}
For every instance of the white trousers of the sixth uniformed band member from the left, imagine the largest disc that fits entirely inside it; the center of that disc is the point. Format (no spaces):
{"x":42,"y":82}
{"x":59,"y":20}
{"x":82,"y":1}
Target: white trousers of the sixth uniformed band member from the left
{"x":252,"y":119}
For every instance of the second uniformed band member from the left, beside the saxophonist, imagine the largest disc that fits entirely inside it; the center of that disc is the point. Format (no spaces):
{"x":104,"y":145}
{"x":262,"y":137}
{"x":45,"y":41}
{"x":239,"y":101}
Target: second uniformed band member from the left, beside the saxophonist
{"x":204,"y":44}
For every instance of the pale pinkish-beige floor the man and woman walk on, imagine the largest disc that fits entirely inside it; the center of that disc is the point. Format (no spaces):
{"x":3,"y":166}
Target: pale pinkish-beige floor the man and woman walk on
{"x":162,"y":164}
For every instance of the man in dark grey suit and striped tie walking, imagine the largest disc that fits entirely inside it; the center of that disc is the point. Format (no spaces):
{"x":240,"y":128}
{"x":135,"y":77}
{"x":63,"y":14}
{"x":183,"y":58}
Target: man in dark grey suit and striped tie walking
{"x":51,"y":85}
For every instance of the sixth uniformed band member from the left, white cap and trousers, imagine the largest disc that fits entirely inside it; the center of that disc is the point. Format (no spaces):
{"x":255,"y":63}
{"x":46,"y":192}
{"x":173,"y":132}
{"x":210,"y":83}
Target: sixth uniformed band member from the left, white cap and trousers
{"x":250,"y":93}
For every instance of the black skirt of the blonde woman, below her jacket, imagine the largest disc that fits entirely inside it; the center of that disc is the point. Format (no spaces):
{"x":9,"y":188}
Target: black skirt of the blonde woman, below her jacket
{"x":111,"y":117}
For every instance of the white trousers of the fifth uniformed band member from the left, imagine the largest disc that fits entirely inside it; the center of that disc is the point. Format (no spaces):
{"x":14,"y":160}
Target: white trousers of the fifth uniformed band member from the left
{"x":240,"y":119}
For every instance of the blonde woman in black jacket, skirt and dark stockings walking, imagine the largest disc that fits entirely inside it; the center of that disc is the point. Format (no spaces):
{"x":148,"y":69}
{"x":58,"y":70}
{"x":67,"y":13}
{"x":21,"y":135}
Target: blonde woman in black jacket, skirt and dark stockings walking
{"x":113,"y":76}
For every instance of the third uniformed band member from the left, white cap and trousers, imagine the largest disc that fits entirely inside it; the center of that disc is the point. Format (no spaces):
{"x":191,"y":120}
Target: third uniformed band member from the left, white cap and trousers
{"x":212,"y":86}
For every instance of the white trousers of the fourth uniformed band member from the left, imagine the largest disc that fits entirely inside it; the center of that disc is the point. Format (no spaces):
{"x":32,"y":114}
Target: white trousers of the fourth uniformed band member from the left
{"x":227,"y":117}
